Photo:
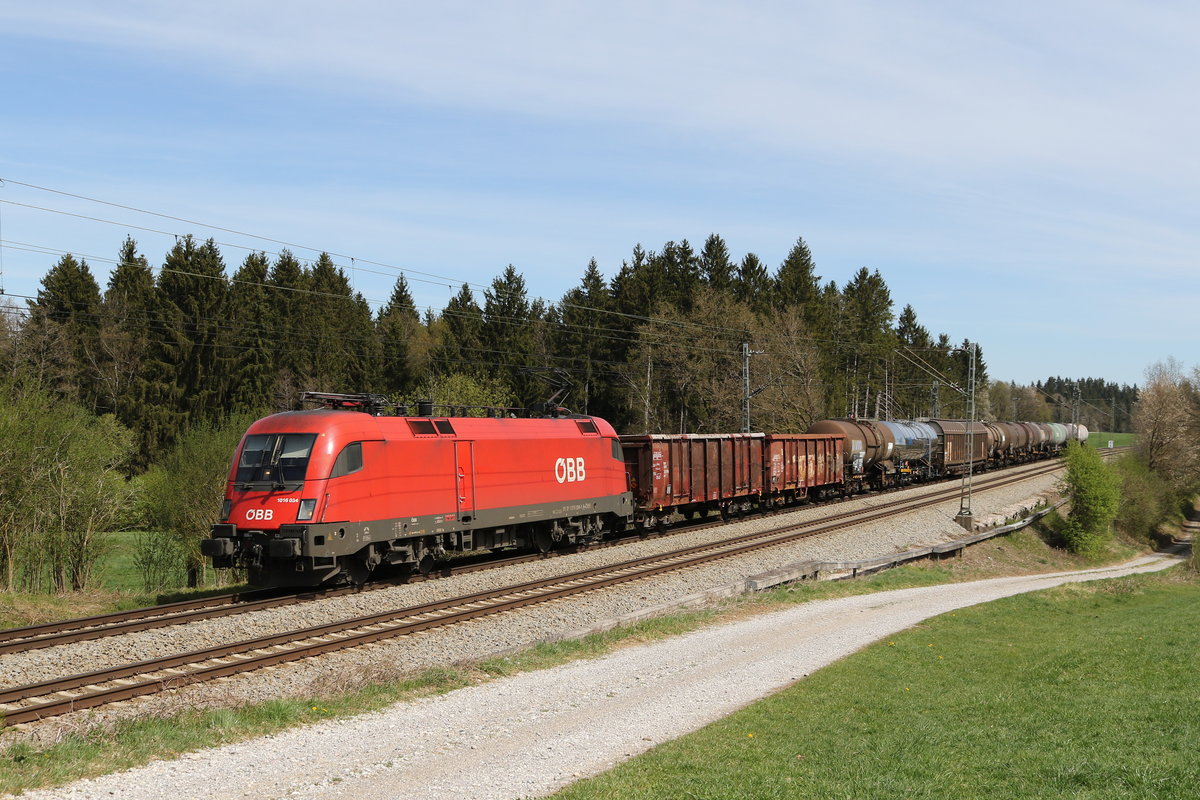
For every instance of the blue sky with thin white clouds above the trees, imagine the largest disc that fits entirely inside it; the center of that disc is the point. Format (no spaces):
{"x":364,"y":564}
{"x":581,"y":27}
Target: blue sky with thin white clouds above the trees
{"x":1025,"y":175}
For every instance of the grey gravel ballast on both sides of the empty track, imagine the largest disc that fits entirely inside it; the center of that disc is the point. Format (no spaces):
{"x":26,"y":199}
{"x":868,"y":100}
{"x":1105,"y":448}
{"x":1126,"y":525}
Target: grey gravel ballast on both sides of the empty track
{"x":484,"y":637}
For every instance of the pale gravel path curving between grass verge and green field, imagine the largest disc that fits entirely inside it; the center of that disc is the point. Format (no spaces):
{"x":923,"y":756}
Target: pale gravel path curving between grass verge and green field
{"x":533,"y":733}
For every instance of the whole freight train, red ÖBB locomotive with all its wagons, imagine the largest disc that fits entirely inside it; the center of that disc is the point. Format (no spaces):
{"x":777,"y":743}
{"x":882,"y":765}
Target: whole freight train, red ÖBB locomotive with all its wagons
{"x":358,"y":486}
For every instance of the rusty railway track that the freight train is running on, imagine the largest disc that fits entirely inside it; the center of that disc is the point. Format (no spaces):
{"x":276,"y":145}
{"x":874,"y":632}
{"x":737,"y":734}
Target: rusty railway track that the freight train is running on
{"x":142,"y":619}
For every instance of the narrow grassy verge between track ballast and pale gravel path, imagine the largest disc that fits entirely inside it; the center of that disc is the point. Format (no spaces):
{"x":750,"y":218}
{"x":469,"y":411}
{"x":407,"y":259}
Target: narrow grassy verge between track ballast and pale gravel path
{"x":98,"y":751}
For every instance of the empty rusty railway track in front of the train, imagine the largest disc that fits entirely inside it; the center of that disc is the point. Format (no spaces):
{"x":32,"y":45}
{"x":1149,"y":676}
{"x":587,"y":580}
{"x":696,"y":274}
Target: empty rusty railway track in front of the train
{"x":77,"y":693}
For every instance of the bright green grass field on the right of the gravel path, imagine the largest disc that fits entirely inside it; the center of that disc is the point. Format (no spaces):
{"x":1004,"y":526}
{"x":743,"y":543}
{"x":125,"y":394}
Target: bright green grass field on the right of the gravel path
{"x":1082,"y":691}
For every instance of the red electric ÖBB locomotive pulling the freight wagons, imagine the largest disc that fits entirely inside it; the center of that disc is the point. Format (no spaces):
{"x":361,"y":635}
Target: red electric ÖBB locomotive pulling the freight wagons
{"x":338,"y":492}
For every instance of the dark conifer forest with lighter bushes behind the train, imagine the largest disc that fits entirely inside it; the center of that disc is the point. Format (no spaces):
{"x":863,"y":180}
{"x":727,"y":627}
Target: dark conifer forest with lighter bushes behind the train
{"x":157,"y":374}
